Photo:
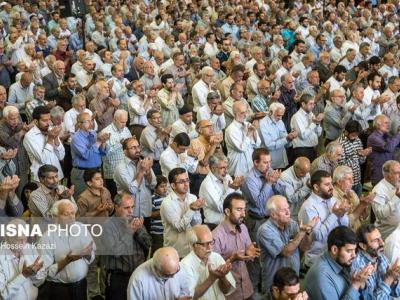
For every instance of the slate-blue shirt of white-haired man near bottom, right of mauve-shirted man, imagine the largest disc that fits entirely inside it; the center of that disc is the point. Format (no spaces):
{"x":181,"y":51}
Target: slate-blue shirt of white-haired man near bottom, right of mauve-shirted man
{"x":272,"y":240}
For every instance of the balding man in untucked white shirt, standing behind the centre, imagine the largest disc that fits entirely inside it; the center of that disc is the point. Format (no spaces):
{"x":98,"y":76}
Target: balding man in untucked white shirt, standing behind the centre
{"x":241,"y":138}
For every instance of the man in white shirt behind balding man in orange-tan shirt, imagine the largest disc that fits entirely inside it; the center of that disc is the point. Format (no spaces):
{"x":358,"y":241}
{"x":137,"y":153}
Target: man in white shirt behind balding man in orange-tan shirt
{"x":213,"y":111}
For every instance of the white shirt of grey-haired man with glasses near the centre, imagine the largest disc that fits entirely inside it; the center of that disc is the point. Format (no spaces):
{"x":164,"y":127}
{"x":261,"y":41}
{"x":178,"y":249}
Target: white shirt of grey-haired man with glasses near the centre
{"x":214,"y":191}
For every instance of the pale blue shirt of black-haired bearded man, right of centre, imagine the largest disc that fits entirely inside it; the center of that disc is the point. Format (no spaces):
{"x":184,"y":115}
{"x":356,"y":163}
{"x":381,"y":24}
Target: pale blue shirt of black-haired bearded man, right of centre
{"x":317,"y":206}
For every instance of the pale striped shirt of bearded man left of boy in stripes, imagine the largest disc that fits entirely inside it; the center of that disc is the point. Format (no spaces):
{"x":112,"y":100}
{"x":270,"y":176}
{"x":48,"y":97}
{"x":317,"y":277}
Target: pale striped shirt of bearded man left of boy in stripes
{"x":124,"y":177}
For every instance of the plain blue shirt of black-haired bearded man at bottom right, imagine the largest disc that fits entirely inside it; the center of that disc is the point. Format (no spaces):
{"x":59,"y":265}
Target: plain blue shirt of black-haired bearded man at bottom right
{"x":327,"y":280}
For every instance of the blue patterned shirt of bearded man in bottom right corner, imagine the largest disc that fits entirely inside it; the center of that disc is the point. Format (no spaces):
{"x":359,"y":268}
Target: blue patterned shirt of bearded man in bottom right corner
{"x":375,"y":287}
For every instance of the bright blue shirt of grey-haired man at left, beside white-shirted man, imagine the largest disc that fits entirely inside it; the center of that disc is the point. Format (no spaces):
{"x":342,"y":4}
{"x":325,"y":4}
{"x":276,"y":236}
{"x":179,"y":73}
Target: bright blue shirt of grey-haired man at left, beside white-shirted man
{"x":84,"y":151}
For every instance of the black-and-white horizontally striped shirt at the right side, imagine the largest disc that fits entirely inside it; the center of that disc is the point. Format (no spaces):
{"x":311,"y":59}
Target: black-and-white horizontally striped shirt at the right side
{"x":350,"y":156}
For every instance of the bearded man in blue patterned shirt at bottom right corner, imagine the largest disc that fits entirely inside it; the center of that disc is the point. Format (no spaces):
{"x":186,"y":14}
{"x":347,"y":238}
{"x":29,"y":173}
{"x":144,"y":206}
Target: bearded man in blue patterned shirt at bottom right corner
{"x":383,"y":282}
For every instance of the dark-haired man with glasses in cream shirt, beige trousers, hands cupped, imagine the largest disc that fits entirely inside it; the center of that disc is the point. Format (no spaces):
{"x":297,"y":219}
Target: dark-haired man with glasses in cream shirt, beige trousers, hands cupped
{"x":180,"y":210}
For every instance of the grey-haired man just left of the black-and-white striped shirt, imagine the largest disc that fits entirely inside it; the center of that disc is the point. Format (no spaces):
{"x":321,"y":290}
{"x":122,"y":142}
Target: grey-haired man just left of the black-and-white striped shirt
{"x":329,"y":160}
